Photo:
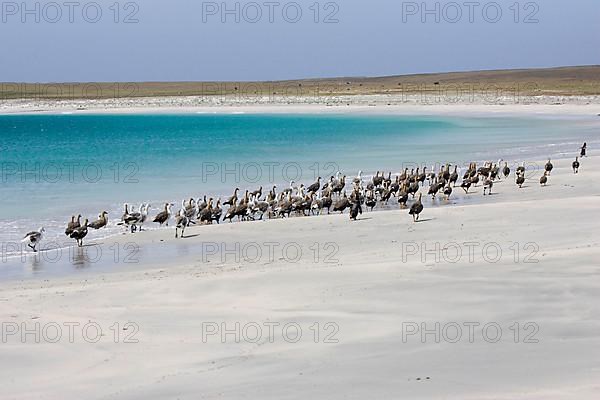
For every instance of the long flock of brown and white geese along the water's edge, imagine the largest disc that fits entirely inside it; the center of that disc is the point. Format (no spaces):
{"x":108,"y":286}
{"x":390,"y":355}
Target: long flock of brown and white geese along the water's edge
{"x":311,"y":200}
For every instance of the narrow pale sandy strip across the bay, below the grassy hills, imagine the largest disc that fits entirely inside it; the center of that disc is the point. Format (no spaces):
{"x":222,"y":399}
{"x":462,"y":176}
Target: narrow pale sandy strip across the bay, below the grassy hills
{"x":361,"y":104}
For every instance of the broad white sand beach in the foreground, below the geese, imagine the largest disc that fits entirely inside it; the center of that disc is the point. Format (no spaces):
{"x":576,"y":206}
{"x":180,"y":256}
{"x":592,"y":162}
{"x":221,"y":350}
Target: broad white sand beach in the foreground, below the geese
{"x":512,"y":283}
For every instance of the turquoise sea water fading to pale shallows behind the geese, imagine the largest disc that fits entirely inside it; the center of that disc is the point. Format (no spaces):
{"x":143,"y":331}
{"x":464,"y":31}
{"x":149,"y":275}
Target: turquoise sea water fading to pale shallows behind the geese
{"x":57,"y":165}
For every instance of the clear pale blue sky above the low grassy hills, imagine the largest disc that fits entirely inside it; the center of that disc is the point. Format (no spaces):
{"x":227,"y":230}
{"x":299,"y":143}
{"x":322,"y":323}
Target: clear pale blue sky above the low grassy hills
{"x":193,"y":40}
